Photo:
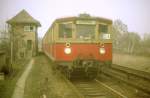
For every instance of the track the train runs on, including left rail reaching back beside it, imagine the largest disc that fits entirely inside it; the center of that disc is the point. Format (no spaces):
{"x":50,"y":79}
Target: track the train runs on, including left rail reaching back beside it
{"x":85,"y":88}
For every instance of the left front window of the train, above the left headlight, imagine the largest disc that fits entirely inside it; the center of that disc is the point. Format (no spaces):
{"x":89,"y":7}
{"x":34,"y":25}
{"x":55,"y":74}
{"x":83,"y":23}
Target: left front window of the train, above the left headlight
{"x":65,"y":30}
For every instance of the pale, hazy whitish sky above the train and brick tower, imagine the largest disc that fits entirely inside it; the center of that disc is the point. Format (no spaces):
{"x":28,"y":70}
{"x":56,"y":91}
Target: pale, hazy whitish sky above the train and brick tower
{"x":134,"y":13}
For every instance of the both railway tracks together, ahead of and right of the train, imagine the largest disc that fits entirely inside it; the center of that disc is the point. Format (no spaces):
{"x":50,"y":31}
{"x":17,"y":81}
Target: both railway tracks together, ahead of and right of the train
{"x":114,"y":82}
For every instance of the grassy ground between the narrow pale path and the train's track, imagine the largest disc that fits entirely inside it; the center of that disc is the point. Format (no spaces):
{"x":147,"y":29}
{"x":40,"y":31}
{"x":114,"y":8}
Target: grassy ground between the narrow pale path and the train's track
{"x":43,"y":79}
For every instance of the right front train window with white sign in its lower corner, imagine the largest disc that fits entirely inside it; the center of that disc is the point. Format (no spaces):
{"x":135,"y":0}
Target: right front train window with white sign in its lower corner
{"x":103,"y":32}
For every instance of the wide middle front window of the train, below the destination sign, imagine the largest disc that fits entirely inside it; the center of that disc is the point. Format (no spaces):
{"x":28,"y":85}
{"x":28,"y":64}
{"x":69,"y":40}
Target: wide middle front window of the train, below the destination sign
{"x":85,"y":31}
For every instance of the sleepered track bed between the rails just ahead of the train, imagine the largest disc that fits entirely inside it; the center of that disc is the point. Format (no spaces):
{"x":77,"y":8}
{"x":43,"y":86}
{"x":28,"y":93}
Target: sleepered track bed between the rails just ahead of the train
{"x":96,"y":89}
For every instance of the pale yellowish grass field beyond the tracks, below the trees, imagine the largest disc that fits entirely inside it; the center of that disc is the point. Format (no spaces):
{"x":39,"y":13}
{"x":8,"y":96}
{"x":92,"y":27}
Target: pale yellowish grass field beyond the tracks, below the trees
{"x":132,"y":61}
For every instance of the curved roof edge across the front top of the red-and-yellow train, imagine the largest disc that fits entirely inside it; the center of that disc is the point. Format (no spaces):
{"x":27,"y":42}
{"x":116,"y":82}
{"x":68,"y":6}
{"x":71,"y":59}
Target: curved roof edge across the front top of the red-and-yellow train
{"x":84,"y":17}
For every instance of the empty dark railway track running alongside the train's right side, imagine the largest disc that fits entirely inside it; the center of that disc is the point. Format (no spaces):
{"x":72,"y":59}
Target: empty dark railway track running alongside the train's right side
{"x":139,"y":80}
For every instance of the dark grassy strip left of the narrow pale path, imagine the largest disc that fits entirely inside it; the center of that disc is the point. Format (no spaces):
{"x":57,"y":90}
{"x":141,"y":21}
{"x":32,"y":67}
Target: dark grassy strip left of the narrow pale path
{"x":7,"y":86}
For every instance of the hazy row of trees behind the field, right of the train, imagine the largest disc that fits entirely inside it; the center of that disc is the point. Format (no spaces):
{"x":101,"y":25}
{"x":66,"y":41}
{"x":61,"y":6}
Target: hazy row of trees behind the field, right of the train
{"x":129,"y":42}
